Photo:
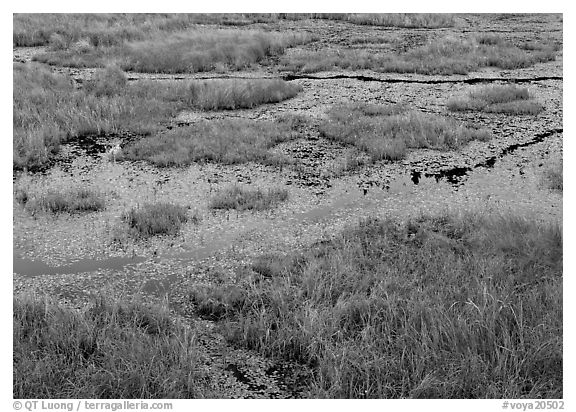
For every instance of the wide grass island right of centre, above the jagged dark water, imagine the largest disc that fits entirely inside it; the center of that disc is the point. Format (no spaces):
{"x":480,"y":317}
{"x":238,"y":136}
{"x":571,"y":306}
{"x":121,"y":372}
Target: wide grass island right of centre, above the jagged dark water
{"x":386,"y":132}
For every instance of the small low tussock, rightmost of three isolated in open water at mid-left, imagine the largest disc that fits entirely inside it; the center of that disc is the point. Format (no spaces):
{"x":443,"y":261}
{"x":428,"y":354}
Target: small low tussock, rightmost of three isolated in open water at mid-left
{"x":239,"y":198}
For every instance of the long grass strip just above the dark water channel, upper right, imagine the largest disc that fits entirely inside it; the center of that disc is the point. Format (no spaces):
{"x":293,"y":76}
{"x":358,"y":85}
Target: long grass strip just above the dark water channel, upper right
{"x":442,"y":57}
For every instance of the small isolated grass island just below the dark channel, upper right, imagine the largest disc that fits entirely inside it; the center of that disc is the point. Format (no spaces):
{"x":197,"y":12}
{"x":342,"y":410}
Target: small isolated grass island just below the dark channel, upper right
{"x":508,"y":99}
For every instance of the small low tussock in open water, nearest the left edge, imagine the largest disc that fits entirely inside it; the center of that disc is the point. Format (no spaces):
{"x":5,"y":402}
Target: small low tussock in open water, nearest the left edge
{"x":72,"y":201}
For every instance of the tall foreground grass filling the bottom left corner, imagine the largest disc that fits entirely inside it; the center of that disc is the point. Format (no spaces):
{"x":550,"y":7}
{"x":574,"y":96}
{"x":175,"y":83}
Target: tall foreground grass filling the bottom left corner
{"x":110,"y":350}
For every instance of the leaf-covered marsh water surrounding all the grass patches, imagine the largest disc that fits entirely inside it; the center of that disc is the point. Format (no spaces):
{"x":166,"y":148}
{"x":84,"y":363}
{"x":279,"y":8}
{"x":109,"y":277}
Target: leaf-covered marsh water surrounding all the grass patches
{"x":73,"y":257}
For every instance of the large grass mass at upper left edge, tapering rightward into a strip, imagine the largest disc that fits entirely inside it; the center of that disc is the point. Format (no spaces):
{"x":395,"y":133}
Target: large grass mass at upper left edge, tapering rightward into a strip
{"x":50,"y":110}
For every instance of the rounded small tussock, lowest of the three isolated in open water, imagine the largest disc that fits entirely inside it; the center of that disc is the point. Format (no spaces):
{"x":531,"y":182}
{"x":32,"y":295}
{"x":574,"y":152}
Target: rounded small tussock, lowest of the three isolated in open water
{"x":152,"y":219}
